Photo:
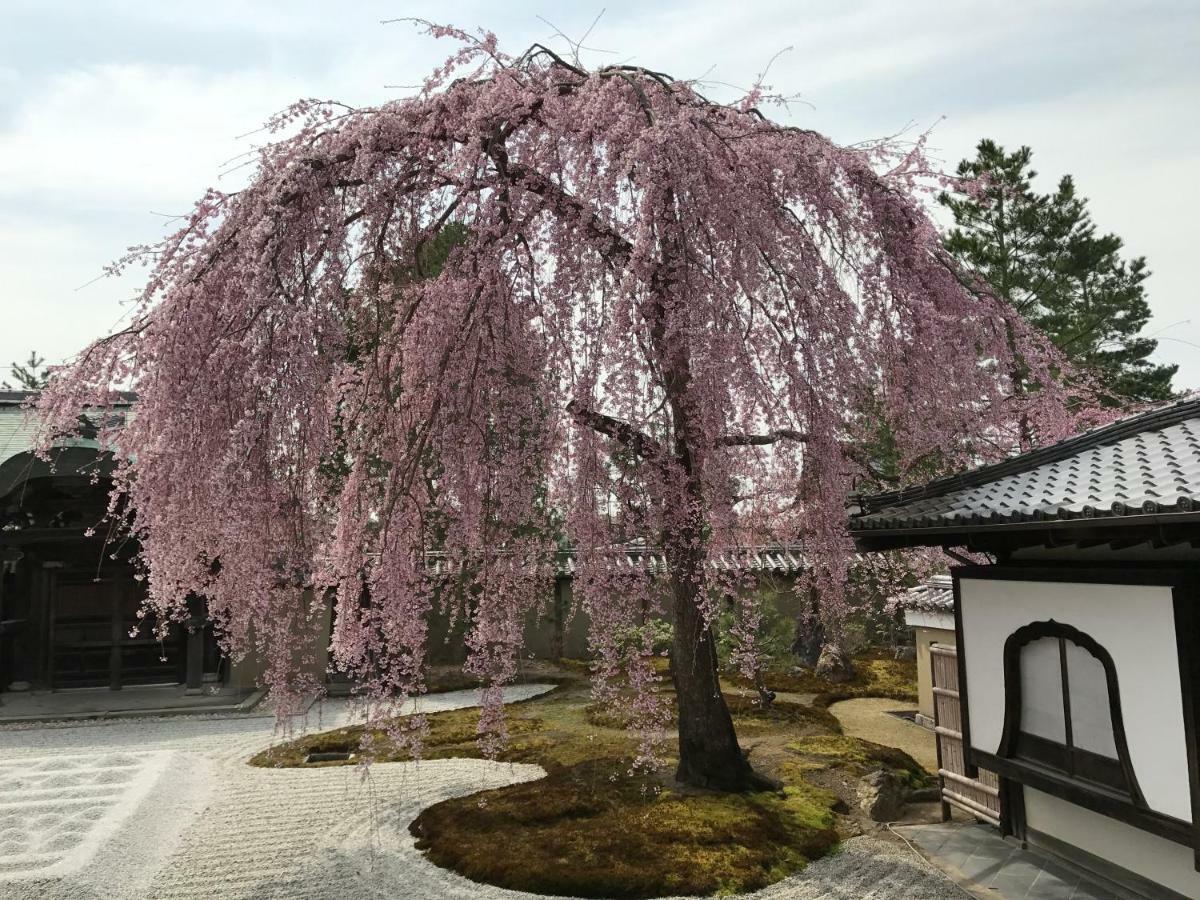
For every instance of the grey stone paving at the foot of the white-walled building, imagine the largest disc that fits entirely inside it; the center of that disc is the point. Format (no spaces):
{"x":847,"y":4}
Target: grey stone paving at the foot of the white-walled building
{"x":976,"y":855}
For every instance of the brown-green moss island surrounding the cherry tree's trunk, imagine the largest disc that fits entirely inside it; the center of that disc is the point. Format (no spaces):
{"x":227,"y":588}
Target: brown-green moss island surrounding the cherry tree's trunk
{"x":596,"y":829}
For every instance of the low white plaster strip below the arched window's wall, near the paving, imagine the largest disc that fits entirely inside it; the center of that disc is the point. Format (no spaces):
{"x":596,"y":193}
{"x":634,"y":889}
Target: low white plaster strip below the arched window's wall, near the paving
{"x":1153,"y":857}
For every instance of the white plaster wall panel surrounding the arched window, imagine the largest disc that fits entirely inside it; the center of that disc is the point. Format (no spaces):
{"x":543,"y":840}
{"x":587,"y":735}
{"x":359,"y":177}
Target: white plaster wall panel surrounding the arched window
{"x":1132,"y":622}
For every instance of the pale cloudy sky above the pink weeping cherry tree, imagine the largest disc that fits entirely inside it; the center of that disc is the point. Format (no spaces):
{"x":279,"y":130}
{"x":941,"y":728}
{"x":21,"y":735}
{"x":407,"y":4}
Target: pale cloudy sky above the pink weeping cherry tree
{"x":116,"y":115}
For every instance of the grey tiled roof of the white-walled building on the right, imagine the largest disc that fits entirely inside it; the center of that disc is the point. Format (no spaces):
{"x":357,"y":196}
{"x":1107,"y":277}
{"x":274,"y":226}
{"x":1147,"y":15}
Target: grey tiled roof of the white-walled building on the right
{"x":1147,"y":464}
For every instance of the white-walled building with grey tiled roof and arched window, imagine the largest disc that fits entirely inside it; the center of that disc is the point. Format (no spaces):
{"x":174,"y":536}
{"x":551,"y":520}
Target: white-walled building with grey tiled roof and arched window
{"x":1069,"y":705}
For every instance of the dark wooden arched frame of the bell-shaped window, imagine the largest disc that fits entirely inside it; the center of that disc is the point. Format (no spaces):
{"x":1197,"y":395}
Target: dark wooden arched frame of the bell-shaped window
{"x":1012,"y":733}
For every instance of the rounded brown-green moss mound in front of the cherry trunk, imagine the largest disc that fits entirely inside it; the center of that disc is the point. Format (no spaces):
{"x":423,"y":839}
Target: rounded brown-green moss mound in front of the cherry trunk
{"x":591,"y":831}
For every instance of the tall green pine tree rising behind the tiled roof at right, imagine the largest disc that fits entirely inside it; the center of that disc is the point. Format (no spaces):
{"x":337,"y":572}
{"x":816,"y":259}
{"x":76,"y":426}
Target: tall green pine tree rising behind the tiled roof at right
{"x":1045,"y":256}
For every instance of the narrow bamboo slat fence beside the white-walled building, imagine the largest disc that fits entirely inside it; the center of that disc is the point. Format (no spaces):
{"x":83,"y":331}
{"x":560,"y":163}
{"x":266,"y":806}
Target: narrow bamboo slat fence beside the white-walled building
{"x":977,"y":796}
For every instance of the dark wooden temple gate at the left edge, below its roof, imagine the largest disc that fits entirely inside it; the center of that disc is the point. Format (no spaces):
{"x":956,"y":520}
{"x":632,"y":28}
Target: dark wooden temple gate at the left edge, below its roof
{"x":70,"y":601}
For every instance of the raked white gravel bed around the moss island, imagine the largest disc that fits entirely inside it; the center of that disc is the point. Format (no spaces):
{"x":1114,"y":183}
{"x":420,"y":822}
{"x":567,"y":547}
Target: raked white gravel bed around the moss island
{"x":169,"y":809}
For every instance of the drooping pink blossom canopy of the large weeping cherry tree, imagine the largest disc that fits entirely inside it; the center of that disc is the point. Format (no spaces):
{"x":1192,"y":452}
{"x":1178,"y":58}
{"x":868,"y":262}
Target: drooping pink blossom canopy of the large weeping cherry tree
{"x":425,"y":327}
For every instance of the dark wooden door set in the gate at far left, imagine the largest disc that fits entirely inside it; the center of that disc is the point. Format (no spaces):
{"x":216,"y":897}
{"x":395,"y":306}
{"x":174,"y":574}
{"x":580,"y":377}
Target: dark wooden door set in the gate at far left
{"x":98,"y":639}
